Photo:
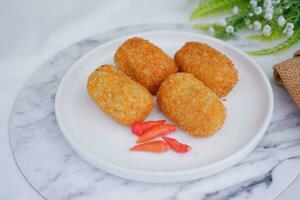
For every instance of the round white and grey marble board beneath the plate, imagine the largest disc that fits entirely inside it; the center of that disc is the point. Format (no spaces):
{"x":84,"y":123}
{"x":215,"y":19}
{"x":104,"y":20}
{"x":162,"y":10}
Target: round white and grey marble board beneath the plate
{"x":56,"y":172}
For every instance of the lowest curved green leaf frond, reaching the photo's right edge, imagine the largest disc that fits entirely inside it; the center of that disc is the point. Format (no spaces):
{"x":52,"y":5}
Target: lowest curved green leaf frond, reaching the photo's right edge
{"x":279,"y":47}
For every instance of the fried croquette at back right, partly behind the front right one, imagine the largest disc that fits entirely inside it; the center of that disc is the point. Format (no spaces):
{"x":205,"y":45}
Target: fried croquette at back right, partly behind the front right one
{"x":207,"y":64}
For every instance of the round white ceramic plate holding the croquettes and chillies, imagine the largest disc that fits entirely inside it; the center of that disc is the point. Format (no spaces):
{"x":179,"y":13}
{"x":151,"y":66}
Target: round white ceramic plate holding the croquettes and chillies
{"x":105,"y":143}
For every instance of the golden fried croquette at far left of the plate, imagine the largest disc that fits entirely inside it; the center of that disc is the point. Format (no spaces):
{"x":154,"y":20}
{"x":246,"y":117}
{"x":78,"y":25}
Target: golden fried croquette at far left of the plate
{"x":125,"y":100}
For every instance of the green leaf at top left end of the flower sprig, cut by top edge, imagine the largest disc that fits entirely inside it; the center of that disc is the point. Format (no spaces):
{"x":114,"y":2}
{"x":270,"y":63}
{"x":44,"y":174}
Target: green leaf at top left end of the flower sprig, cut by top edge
{"x":211,"y":7}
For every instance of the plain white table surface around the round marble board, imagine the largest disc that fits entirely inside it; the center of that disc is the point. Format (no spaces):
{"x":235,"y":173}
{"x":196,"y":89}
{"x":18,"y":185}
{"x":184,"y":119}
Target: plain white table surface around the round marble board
{"x":32,"y":32}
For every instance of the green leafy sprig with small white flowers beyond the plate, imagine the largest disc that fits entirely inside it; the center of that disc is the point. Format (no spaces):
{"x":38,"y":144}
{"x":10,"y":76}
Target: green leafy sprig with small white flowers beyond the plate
{"x":271,"y":19}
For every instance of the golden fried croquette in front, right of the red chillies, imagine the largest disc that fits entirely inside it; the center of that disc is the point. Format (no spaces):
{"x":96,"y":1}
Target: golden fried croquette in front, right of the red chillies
{"x":189,"y":103}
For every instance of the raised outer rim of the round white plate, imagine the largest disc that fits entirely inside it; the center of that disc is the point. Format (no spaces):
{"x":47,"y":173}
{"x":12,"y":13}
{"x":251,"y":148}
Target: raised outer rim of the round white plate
{"x":215,"y":167}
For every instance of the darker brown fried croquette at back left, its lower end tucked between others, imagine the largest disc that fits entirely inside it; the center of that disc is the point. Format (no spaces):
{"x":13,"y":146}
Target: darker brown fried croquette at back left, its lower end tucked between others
{"x":144,"y":62}
